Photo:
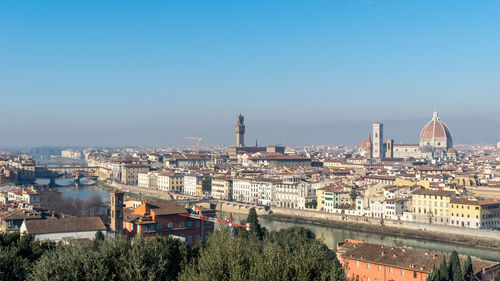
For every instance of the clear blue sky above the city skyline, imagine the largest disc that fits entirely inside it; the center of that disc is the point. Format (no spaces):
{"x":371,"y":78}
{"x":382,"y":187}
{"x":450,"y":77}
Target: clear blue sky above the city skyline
{"x":152,"y":72}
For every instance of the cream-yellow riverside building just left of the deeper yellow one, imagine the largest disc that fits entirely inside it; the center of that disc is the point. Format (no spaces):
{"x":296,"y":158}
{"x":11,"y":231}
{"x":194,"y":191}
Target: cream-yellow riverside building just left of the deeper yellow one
{"x":432,"y":206}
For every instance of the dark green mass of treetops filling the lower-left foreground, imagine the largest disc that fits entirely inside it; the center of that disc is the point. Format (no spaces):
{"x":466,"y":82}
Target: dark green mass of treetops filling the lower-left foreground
{"x":291,"y":254}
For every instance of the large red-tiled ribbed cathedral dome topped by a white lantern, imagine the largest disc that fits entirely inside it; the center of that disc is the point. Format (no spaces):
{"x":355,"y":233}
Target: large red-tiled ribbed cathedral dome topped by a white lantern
{"x":436,"y":134}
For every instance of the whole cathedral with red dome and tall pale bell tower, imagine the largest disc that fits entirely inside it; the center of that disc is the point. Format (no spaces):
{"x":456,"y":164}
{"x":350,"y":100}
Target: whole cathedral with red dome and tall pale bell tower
{"x":435,"y":143}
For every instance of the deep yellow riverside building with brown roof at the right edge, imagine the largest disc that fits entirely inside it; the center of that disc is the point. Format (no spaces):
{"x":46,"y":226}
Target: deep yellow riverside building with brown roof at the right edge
{"x":473,"y":213}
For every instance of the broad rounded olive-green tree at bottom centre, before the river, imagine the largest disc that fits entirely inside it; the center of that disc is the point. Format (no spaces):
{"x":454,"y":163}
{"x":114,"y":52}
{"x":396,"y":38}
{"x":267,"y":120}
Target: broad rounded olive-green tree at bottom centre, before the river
{"x":293,"y":254}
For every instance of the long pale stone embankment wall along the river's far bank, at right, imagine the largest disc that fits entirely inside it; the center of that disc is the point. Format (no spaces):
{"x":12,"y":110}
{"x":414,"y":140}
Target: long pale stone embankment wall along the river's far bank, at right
{"x":479,"y":237}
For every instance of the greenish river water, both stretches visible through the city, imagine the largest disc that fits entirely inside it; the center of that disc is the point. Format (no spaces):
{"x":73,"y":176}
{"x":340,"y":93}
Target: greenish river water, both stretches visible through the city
{"x":331,"y":236}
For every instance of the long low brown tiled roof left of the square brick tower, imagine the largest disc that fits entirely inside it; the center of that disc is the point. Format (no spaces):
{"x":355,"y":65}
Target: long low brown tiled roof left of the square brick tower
{"x":72,"y":224}
